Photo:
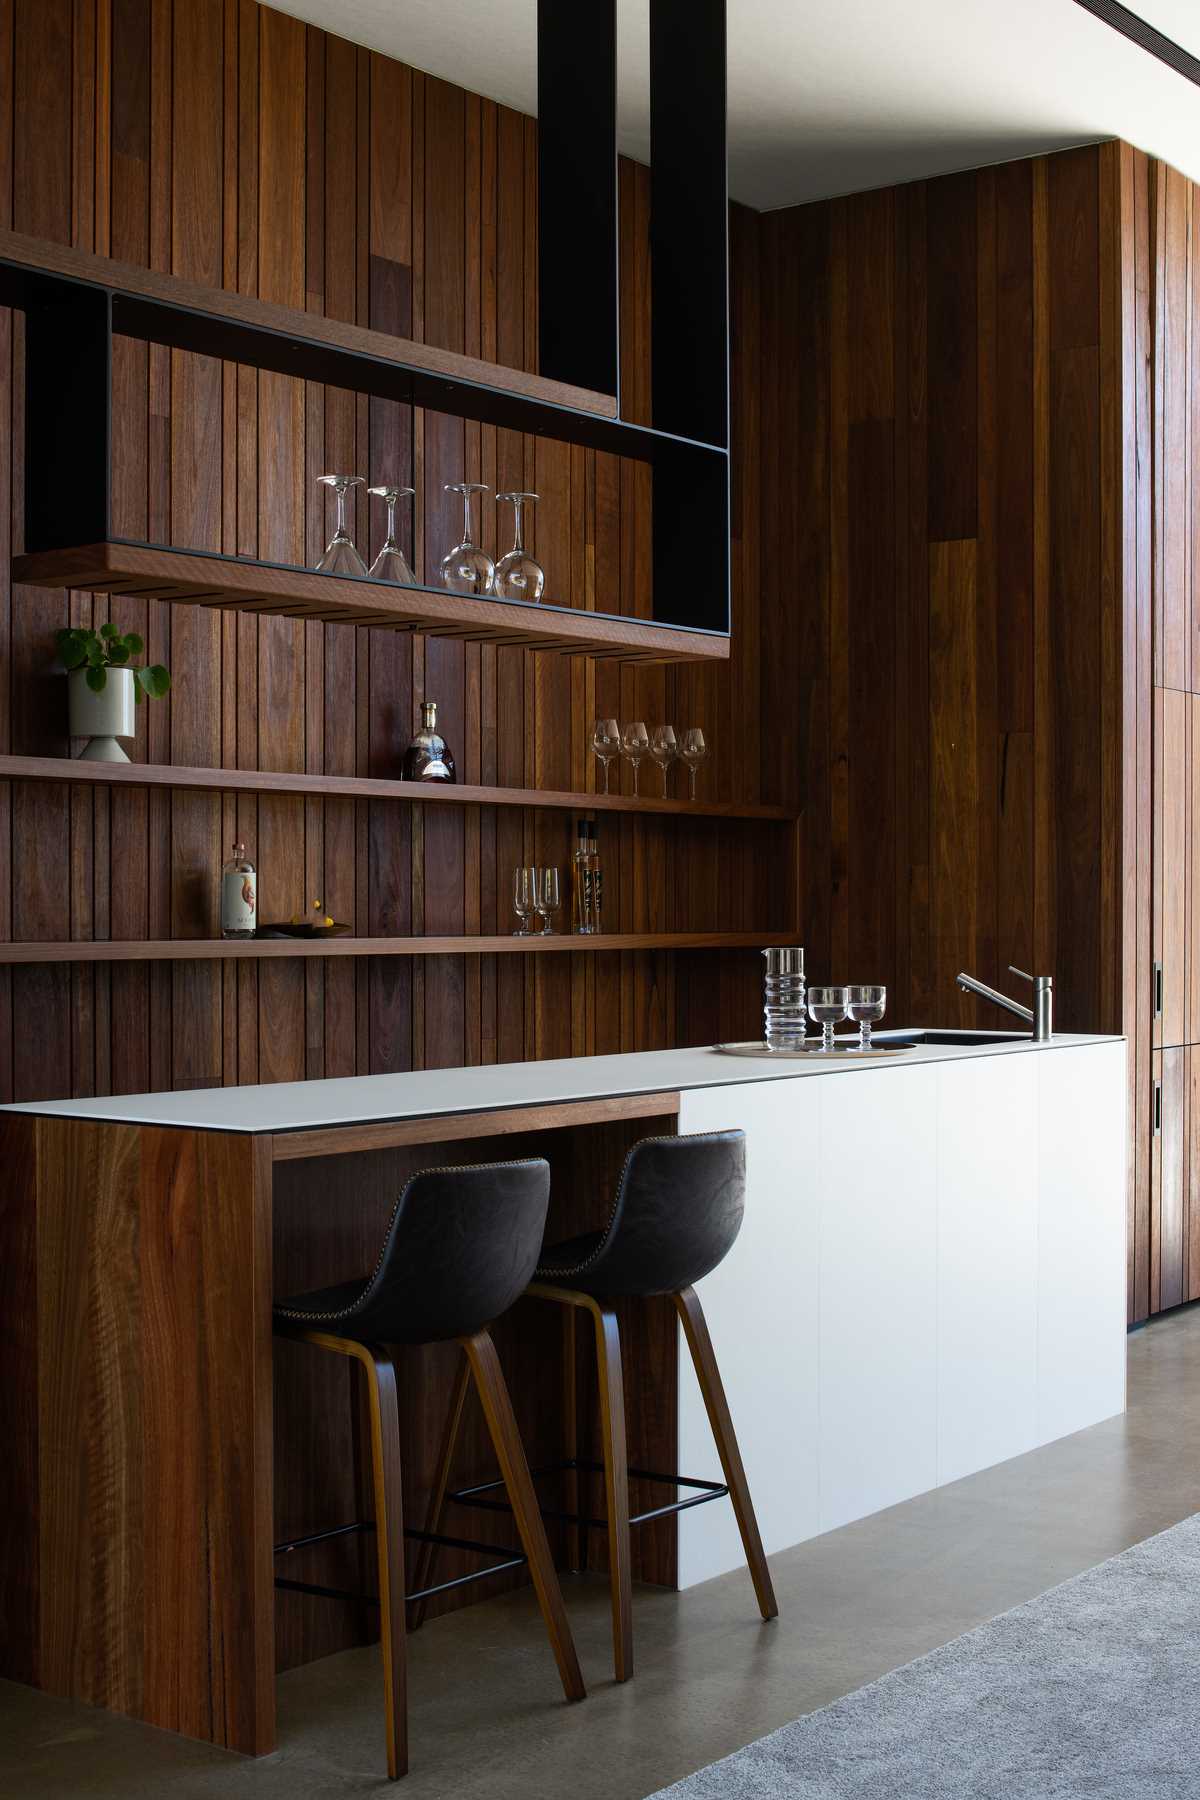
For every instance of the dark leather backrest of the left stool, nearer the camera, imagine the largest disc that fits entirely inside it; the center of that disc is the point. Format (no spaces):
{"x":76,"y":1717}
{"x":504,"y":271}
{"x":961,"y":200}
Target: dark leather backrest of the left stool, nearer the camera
{"x":460,"y":1250}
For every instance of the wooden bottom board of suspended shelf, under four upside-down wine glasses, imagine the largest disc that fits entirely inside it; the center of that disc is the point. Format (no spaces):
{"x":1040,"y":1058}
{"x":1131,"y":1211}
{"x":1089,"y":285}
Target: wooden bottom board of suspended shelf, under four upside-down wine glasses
{"x":147,"y":571}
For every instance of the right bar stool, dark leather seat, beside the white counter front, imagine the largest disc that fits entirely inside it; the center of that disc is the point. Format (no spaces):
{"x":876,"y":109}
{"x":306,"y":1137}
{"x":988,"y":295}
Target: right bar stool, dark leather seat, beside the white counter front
{"x":676,"y":1218}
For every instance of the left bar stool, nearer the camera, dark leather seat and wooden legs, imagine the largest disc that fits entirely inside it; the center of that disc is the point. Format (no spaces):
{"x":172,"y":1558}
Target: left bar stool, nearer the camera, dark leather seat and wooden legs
{"x":460,"y":1248}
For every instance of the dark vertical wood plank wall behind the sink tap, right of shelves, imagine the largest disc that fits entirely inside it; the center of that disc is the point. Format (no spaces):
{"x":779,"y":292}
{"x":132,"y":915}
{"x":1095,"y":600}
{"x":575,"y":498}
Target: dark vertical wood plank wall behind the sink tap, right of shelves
{"x":953,"y":503}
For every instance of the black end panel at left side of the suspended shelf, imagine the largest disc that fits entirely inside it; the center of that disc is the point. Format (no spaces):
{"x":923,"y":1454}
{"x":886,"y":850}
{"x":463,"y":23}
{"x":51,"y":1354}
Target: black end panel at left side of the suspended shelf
{"x":67,"y":417}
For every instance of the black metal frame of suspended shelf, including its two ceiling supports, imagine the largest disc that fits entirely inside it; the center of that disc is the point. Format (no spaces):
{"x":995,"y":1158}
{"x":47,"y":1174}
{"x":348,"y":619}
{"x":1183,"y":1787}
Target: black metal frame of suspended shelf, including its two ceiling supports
{"x":71,"y":321}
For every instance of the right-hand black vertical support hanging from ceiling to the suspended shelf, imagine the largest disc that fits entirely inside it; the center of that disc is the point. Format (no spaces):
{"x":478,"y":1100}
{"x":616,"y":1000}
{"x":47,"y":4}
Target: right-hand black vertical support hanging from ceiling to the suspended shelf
{"x":690,"y":220}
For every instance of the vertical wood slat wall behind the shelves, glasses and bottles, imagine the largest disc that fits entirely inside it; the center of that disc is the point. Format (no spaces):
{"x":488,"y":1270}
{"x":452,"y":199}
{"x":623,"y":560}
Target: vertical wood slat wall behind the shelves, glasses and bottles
{"x":237,"y":147}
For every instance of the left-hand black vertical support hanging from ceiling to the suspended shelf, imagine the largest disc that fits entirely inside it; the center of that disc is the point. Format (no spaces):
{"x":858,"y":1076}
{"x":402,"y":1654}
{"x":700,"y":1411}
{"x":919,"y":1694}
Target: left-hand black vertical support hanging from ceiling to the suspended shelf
{"x":578,"y":193}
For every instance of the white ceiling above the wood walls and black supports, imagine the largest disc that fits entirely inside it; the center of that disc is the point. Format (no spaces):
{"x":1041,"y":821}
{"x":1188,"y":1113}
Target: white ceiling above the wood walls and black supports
{"x":836,"y":96}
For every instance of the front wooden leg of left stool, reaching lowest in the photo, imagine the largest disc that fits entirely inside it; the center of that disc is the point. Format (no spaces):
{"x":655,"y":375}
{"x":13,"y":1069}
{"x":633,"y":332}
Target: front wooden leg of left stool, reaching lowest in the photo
{"x":390,"y":1533}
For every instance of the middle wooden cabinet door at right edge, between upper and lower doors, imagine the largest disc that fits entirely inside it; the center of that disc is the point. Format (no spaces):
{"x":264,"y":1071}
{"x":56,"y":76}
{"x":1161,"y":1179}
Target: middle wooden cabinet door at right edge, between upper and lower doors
{"x":1172,"y":867}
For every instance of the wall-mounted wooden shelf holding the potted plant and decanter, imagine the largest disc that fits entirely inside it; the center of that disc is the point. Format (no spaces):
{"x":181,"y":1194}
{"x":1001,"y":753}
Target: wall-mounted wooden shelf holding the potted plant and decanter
{"x":366,"y":787}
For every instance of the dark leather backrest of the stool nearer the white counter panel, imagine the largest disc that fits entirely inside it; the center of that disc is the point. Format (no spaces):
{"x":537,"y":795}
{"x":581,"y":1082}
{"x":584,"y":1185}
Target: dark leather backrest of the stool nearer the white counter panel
{"x":677,"y":1214}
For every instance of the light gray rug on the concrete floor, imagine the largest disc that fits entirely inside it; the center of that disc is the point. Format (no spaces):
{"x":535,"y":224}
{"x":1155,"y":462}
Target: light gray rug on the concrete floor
{"x":1089,"y":1691}
